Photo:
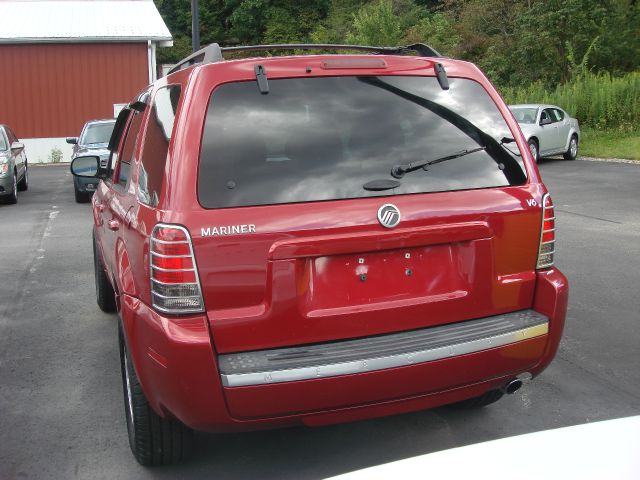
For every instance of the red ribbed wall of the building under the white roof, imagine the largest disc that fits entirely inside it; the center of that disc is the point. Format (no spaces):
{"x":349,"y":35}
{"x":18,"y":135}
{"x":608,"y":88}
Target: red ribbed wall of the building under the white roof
{"x":53,"y":89}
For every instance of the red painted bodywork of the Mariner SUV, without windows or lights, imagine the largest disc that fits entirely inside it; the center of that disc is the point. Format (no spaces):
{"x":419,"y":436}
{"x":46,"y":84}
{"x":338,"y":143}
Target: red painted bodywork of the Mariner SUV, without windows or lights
{"x":297,"y":279}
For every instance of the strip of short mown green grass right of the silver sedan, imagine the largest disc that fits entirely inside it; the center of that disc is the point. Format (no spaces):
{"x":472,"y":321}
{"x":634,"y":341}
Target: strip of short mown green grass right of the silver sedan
{"x":608,"y":144}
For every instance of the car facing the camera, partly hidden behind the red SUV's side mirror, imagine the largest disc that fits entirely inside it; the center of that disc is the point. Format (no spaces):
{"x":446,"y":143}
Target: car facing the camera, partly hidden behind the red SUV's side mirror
{"x":93,"y":140}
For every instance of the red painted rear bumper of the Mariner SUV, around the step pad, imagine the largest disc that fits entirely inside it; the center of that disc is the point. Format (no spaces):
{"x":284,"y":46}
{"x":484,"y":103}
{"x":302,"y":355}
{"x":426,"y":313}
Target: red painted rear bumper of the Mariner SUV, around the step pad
{"x":179,"y":373}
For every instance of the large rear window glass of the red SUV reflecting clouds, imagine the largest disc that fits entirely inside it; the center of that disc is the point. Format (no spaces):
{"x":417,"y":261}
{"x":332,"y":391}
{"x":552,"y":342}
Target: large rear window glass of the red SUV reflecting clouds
{"x":312,"y":139}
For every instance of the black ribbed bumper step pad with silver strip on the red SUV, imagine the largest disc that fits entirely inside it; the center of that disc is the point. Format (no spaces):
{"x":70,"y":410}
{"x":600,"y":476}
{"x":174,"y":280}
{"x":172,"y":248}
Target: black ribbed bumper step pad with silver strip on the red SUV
{"x":372,"y":354}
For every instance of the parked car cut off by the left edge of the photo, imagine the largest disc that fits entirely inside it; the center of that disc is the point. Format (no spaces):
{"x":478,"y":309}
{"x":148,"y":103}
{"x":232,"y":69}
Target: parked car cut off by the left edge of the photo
{"x":14,"y":175}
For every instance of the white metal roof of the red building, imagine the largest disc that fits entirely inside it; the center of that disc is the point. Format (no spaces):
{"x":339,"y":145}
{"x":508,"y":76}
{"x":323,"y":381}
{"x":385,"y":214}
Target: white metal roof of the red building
{"x":27,"y":21}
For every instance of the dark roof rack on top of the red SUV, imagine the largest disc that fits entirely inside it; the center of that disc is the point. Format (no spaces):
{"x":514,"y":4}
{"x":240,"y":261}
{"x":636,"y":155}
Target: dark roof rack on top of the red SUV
{"x":213,"y":53}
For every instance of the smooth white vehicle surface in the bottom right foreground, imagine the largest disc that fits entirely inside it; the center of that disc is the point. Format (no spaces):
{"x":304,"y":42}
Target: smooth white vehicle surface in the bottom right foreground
{"x":594,"y":450}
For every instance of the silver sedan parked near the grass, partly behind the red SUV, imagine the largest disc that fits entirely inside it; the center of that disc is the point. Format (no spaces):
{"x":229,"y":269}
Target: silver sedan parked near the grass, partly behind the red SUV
{"x":549,"y":130}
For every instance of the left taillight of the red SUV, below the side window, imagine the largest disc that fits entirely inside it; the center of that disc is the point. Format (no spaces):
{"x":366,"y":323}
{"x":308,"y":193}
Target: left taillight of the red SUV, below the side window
{"x":175,"y":286}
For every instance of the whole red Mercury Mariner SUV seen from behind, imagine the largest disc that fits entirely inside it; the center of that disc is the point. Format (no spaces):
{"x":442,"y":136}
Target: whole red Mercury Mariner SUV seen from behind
{"x":313,"y":239}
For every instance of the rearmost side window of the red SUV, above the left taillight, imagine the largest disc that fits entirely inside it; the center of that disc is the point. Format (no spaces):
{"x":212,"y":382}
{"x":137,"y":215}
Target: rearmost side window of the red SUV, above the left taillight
{"x":156,"y":143}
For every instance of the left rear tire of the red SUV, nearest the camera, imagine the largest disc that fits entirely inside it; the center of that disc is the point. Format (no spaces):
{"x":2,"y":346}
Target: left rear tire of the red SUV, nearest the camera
{"x":154,"y":440}
